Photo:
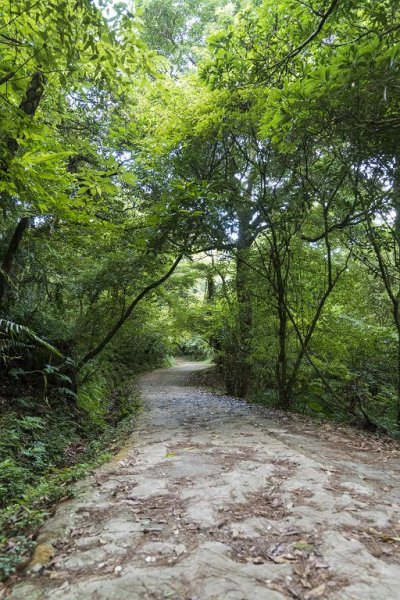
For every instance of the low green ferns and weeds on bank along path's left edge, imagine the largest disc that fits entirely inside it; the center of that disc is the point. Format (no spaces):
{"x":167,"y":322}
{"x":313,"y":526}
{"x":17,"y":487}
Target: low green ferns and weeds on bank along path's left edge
{"x":44,"y":447}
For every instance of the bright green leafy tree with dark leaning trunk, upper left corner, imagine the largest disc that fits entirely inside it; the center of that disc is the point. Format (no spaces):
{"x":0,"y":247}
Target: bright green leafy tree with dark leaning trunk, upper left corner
{"x":50,"y":62}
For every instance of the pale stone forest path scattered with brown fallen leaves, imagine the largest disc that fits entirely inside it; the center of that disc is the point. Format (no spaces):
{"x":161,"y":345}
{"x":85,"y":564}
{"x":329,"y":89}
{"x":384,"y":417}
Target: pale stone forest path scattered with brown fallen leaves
{"x":214,"y":498}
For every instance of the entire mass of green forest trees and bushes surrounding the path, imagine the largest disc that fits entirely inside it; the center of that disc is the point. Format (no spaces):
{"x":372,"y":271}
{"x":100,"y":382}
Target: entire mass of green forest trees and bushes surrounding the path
{"x":209,"y":178}
